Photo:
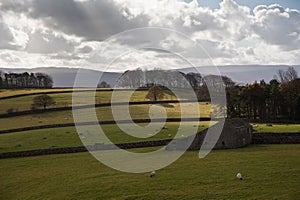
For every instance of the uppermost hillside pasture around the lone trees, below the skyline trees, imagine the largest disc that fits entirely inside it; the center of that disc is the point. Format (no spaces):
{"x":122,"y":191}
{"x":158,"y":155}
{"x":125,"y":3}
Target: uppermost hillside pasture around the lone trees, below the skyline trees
{"x":17,"y":104}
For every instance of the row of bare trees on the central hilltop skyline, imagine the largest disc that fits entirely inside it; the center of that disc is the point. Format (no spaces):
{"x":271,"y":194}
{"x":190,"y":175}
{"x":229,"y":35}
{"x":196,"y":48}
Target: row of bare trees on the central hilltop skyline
{"x":175,"y":79}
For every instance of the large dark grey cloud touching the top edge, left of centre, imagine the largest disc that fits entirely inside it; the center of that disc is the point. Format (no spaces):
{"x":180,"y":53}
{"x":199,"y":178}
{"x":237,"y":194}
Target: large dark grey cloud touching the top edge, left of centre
{"x":92,"y":20}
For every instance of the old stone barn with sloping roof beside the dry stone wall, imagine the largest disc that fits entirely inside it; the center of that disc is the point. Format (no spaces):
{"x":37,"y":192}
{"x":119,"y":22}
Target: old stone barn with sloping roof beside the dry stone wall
{"x":235,"y":133}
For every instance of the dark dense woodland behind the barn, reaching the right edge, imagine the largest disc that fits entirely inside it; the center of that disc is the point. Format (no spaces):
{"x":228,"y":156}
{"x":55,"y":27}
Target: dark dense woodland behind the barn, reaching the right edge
{"x":274,"y":101}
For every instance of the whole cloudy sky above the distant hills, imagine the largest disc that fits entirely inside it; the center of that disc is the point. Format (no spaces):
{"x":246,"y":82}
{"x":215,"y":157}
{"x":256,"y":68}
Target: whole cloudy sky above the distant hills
{"x":122,"y":34}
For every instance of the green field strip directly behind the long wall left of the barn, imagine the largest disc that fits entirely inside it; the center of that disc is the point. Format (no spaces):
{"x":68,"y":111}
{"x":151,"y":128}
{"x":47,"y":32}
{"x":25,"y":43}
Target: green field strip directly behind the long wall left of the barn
{"x":68,"y":137}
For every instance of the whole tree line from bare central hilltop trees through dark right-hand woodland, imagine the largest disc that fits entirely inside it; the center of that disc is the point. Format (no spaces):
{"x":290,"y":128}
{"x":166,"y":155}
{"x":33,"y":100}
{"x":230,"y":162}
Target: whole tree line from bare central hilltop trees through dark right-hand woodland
{"x":278,"y":100}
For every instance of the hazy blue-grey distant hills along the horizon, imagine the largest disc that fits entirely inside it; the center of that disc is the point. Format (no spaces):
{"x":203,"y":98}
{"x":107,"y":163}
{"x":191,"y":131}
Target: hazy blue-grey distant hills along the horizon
{"x":242,"y":74}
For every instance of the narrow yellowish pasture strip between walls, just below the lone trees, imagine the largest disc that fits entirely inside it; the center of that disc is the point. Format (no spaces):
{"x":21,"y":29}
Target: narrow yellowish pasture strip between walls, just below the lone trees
{"x":103,"y":114}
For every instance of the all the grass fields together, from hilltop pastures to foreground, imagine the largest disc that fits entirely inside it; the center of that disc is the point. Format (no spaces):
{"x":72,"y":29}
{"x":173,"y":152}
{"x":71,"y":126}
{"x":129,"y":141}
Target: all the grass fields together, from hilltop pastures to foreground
{"x":270,"y":171}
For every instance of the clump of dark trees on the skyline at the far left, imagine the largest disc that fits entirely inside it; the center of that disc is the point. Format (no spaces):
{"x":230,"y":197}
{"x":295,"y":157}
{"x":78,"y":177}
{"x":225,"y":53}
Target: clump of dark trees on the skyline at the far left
{"x":25,"y":80}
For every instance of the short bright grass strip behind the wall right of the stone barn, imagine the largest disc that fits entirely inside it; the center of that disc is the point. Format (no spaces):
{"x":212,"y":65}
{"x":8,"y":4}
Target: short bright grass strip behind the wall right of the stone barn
{"x":276,"y":128}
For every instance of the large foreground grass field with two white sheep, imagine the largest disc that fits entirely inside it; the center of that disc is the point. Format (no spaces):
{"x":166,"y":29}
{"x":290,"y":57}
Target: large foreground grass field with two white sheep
{"x":270,"y":172}
